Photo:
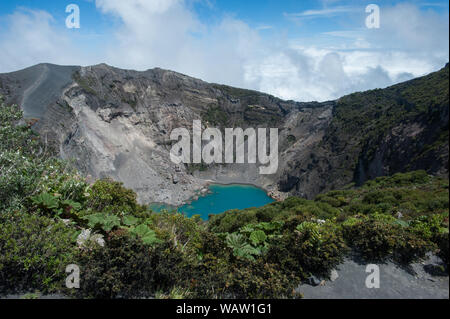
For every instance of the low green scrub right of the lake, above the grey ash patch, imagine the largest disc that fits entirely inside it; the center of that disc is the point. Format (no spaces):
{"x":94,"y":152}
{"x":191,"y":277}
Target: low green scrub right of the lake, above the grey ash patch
{"x":399,"y":217}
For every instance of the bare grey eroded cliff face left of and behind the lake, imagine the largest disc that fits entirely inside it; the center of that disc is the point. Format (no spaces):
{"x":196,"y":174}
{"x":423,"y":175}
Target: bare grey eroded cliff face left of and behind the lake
{"x":117,"y":123}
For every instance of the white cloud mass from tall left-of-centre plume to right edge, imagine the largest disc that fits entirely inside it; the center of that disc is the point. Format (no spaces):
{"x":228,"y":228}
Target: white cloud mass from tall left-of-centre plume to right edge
{"x":233,"y":53}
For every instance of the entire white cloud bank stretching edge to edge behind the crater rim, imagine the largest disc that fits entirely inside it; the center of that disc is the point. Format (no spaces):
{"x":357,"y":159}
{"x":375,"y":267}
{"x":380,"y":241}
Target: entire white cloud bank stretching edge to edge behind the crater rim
{"x":169,"y":34}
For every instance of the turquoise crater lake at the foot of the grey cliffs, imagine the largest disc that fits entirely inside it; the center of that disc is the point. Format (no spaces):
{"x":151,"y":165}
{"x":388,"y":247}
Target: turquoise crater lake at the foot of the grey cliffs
{"x":222,"y":198}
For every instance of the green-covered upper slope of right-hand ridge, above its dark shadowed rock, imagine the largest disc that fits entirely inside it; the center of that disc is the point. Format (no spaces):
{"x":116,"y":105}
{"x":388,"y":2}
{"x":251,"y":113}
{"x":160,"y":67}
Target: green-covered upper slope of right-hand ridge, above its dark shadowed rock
{"x":373,"y":113}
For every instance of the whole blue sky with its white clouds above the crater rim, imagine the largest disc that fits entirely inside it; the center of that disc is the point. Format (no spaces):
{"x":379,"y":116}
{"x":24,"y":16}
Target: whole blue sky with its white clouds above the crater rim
{"x":294,"y":49}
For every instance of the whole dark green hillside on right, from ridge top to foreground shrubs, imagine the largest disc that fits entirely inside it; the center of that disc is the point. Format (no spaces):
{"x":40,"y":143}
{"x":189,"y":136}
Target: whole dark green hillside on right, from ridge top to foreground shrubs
{"x":375,"y":133}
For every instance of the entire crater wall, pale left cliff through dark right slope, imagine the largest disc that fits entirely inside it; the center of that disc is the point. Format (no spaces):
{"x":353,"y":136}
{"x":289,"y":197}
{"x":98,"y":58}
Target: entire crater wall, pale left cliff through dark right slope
{"x":117,"y":123}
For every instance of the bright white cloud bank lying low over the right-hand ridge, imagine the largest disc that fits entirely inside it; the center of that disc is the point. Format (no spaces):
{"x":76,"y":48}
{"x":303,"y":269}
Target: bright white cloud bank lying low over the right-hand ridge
{"x":410,"y":43}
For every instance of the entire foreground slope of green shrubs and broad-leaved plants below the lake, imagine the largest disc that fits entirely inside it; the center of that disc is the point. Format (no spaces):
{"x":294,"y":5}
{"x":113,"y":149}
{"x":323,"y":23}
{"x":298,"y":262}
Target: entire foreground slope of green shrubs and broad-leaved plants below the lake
{"x":50,"y":217}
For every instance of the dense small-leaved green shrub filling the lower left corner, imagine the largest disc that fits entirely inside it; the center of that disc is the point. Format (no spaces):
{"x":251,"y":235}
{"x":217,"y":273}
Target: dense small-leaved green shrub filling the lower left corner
{"x":35,"y":251}
